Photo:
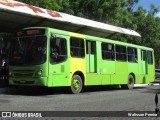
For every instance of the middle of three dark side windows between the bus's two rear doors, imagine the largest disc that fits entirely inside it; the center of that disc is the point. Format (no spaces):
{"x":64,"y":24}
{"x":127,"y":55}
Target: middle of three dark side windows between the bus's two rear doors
{"x":121,"y":53}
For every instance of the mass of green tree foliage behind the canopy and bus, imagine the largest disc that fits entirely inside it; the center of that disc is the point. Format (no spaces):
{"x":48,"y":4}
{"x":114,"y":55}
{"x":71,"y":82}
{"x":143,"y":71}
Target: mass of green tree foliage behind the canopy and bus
{"x":116,"y":12}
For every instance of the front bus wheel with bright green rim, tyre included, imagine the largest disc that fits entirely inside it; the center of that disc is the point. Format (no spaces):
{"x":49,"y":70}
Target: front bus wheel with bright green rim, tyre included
{"x":76,"y":84}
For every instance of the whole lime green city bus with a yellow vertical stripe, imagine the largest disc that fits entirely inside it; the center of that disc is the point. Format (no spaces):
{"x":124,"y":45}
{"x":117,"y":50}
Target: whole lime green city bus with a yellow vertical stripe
{"x":42,"y":56}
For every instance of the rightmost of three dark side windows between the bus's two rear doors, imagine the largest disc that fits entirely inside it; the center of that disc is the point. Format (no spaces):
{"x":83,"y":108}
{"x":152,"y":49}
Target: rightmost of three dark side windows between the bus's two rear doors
{"x":132,"y":54}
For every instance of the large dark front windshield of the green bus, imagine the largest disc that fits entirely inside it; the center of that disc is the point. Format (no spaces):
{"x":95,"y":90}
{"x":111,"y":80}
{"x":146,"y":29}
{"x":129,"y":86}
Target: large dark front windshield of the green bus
{"x":29,"y":50}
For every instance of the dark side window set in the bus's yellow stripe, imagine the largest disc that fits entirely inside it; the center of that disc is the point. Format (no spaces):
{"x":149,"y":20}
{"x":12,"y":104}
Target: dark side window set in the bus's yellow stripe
{"x":77,"y":47}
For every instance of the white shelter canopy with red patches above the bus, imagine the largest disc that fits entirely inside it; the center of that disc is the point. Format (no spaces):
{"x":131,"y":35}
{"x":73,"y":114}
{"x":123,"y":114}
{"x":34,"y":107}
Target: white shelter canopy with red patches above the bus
{"x":17,"y":15}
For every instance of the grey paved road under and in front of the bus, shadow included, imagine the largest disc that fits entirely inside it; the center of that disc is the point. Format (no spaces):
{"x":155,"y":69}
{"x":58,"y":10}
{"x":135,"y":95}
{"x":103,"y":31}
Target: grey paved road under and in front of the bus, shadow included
{"x":142,"y":98}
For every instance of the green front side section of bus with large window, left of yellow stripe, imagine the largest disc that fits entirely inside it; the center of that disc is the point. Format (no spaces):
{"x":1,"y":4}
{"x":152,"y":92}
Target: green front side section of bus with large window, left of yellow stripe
{"x":58,"y":61}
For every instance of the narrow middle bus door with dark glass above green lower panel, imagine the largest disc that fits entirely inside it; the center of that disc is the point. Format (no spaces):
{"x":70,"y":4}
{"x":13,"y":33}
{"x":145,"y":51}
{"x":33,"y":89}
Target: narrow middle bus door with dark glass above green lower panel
{"x":91,"y":56}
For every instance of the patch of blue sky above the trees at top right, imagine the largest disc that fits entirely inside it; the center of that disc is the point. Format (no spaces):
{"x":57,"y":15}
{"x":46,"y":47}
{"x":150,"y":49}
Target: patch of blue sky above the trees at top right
{"x":146,"y":4}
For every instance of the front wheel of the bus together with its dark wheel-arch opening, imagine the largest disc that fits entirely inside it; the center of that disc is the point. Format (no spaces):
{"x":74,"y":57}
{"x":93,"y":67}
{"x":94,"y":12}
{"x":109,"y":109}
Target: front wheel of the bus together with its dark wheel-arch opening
{"x":77,"y":82}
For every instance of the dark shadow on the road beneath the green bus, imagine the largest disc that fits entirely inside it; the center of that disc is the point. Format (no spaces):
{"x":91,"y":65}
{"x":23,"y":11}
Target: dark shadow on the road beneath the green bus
{"x":42,"y":91}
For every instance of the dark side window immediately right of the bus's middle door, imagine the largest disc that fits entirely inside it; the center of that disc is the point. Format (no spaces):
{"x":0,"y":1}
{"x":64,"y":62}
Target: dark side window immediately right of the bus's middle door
{"x":107,"y":51}
